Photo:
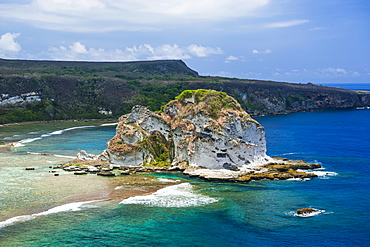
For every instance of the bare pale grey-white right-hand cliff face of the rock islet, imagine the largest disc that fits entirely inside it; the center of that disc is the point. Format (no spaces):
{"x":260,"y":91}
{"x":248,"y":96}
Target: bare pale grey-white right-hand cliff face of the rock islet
{"x":239,"y":143}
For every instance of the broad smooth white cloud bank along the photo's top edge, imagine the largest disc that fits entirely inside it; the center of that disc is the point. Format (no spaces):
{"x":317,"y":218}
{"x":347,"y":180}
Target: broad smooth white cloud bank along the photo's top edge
{"x":107,"y":15}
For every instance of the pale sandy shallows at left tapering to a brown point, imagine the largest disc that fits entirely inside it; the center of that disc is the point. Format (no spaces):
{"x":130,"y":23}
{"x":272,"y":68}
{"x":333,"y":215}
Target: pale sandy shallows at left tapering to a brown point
{"x":39,"y":190}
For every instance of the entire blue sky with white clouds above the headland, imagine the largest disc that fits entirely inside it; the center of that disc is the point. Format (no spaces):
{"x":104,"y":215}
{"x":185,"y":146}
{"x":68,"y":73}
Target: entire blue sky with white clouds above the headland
{"x":317,"y":41}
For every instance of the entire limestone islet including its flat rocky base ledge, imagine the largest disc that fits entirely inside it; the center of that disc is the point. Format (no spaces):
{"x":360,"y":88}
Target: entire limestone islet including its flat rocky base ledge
{"x":202,"y":133}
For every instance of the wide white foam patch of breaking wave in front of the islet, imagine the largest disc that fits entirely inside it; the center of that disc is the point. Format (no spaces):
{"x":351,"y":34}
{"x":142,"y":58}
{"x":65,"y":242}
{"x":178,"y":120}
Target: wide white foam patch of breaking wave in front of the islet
{"x":178,"y":196}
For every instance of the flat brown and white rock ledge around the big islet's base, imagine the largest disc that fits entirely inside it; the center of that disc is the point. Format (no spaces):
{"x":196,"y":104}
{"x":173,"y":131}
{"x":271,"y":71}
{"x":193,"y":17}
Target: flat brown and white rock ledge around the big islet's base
{"x":279,"y":169}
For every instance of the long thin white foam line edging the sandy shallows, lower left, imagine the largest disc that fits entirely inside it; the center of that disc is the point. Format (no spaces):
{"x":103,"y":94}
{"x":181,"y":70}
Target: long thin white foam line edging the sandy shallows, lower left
{"x":75,"y":206}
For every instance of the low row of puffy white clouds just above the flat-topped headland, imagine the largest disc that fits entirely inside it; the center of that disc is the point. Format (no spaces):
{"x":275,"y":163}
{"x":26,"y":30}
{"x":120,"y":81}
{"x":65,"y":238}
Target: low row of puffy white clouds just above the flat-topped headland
{"x":78,"y":51}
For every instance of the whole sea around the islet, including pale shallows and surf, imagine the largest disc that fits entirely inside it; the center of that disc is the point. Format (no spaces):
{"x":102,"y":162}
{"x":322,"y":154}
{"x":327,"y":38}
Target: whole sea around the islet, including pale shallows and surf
{"x":190,"y":211}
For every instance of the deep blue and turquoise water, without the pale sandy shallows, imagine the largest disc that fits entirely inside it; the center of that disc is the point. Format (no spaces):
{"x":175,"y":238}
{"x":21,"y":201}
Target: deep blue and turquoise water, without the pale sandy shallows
{"x":254,"y":214}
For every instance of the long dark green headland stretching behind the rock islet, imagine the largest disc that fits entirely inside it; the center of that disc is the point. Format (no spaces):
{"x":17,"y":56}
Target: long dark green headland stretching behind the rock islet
{"x":79,"y":89}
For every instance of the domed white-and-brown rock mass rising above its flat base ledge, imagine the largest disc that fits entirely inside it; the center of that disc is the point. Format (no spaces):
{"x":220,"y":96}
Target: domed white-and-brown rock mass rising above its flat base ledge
{"x":186,"y":133}
